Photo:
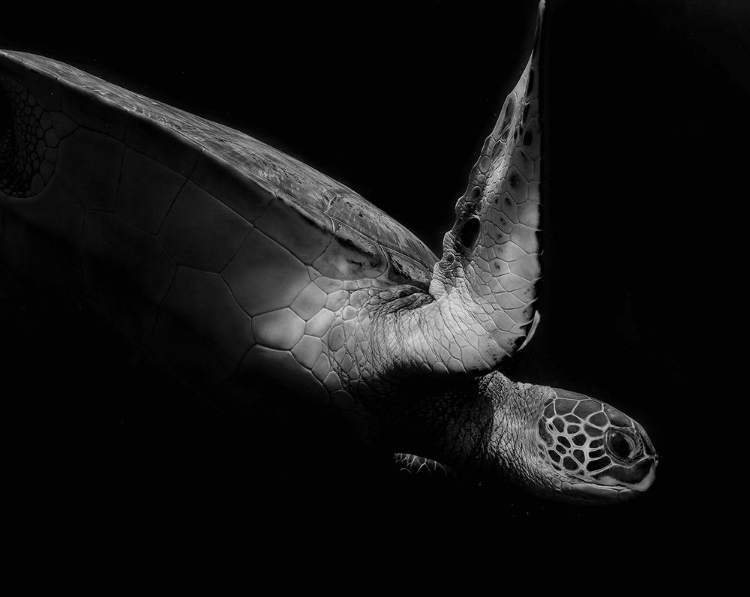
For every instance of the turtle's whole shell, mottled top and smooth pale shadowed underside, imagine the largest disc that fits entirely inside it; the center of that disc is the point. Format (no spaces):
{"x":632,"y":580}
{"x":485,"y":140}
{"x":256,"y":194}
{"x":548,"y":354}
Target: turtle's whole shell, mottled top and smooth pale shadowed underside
{"x":220,"y":256}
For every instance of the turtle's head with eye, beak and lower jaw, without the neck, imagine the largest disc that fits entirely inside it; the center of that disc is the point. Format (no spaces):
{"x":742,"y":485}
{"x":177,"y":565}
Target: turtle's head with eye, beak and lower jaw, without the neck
{"x":588,"y":451}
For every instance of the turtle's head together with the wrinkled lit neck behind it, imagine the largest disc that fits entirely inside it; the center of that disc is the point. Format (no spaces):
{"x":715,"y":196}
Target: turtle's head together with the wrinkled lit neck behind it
{"x":567,"y":446}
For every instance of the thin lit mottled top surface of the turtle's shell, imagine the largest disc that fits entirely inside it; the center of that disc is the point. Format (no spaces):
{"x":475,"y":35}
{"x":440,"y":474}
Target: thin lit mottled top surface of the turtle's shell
{"x":244,"y":161}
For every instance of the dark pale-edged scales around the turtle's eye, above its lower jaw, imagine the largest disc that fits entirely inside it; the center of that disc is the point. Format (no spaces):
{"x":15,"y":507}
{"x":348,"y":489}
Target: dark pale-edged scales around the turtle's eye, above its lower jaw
{"x":589,"y":439}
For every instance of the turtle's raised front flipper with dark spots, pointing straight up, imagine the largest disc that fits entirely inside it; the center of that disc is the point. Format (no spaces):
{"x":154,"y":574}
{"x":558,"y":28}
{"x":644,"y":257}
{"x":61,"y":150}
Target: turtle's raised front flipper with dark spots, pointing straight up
{"x":486,"y":278}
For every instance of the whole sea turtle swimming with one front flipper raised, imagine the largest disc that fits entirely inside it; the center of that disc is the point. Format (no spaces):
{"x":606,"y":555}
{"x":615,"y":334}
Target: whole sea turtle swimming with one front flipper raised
{"x":265,"y":285}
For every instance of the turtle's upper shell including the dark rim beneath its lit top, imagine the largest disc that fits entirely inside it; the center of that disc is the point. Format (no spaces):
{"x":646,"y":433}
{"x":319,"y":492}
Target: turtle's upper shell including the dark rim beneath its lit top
{"x":247,"y":175}
